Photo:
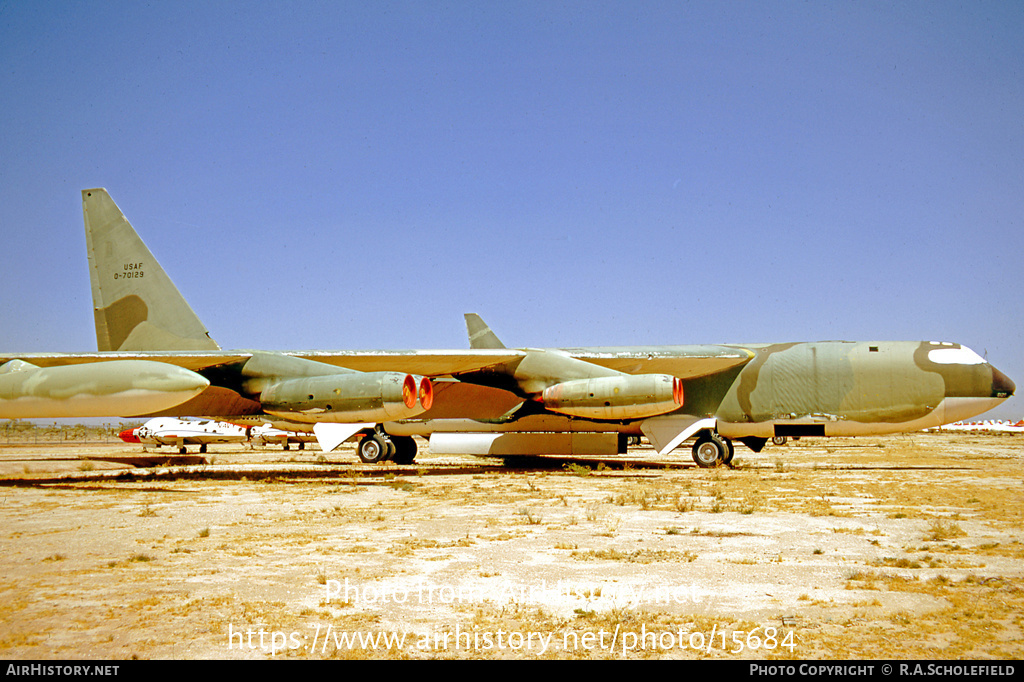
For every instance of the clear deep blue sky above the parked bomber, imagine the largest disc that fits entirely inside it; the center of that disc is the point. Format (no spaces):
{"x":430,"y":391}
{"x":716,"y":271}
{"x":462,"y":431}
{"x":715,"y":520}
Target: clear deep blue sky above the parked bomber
{"x":353,"y":176}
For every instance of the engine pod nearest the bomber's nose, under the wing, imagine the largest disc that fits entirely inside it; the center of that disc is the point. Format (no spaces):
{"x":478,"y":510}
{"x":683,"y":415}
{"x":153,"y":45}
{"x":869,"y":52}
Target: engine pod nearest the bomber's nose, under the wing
{"x":626,"y":397}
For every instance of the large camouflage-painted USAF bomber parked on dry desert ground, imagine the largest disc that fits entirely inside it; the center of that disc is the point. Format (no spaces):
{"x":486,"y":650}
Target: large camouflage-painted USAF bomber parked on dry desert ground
{"x":157,"y":359}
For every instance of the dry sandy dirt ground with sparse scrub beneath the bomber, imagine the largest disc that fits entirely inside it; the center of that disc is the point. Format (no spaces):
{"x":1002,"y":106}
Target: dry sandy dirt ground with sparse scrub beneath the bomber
{"x":907,"y":547}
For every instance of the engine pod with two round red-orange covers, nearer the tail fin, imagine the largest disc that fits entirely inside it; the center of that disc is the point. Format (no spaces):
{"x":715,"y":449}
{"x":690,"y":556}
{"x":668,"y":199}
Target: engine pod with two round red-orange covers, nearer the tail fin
{"x":362,"y":397}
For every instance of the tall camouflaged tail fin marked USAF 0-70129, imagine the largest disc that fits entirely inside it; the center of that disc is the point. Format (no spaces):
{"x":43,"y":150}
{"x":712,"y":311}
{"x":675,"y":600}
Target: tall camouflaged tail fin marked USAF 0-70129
{"x":137,"y":306}
